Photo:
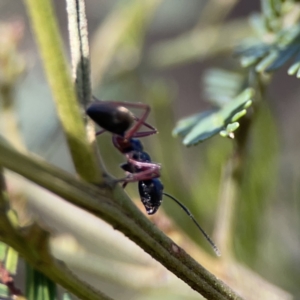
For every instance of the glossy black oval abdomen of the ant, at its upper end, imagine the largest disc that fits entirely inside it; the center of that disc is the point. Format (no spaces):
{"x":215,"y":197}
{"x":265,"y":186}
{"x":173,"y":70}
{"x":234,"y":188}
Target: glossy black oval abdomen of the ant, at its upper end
{"x":115,"y":119}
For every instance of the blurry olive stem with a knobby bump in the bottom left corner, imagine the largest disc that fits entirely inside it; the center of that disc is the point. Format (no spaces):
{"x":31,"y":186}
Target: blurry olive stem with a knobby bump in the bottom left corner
{"x":34,"y":248}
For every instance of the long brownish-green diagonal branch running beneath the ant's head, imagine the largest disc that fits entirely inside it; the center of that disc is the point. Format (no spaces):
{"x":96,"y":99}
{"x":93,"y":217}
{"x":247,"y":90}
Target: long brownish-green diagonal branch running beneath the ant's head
{"x":122,"y":214}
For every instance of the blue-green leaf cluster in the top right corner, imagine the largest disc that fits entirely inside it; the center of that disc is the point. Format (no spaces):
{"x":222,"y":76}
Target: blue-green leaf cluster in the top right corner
{"x":277,"y":38}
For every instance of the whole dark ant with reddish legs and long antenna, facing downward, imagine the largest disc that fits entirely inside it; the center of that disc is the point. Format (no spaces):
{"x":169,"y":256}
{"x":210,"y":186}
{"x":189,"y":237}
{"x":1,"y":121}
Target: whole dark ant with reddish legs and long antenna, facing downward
{"x":115,"y":118}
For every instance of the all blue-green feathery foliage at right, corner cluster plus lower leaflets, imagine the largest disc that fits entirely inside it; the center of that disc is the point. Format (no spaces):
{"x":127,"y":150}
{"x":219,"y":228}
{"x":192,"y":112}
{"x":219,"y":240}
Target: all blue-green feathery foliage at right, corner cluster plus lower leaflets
{"x":275,"y":42}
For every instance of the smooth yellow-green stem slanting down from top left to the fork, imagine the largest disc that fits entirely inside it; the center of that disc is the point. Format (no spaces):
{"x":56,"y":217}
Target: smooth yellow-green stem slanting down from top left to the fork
{"x":50,"y":45}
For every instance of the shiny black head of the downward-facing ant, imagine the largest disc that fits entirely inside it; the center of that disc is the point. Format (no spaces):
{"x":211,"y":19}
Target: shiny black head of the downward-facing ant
{"x":151,"y":192}
